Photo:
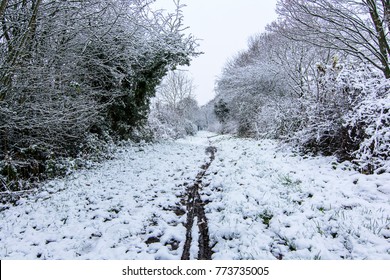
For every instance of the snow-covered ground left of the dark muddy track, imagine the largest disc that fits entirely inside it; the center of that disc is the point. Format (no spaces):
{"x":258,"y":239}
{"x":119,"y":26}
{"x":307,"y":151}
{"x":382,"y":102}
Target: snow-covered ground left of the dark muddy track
{"x":129,"y":208}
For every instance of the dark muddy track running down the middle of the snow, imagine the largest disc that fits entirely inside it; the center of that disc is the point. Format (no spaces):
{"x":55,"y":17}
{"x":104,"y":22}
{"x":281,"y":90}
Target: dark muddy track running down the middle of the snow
{"x":195,"y":209}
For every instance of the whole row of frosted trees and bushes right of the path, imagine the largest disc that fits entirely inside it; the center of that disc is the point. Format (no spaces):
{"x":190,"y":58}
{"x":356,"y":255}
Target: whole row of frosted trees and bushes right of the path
{"x":318,"y":77}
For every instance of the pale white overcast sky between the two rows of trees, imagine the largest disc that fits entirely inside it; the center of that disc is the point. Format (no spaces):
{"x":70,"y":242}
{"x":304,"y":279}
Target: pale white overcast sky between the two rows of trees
{"x":224,"y":27}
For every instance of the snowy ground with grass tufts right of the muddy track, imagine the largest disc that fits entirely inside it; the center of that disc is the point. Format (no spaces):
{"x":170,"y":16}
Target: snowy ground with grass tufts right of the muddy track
{"x":319,"y":208}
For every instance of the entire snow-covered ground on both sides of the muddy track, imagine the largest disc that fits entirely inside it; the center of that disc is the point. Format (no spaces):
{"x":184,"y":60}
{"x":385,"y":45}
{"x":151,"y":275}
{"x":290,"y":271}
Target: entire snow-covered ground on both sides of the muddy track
{"x":262,"y":202}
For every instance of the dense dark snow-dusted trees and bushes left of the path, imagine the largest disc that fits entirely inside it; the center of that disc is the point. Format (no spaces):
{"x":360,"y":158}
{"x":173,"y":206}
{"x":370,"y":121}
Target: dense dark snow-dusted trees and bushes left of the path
{"x":77,"y":74}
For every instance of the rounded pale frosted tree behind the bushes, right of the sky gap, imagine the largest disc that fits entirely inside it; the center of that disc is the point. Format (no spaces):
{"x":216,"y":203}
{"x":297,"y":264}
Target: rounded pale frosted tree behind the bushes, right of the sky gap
{"x":254,"y":84}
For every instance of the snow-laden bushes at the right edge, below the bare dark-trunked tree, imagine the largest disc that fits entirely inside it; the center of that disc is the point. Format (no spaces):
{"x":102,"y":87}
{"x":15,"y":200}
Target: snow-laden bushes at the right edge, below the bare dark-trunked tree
{"x":352,"y":121}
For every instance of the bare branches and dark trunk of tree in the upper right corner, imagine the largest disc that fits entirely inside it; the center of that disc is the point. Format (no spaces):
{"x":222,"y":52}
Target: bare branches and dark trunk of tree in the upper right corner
{"x":357,"y":27}
